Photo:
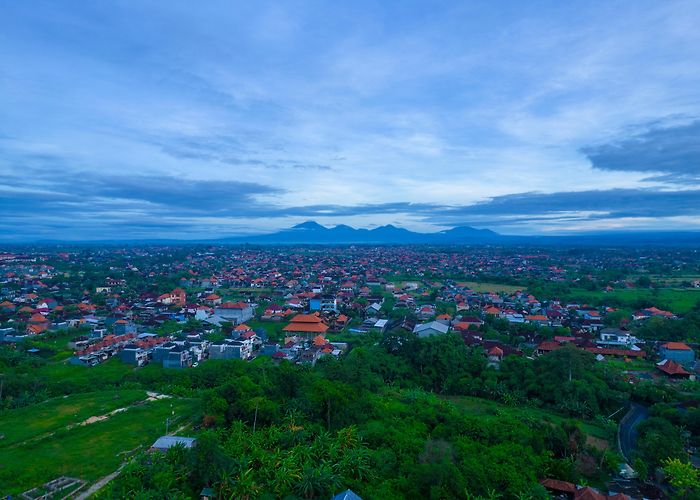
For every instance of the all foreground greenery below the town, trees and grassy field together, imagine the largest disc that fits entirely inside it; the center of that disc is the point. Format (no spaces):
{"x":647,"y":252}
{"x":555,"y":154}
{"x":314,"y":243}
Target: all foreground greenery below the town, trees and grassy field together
{"x":398,"y":417}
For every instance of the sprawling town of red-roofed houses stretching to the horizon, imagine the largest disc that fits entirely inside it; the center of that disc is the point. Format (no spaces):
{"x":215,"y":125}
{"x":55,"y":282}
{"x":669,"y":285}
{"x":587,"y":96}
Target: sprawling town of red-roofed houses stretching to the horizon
{"x":181,"y":308}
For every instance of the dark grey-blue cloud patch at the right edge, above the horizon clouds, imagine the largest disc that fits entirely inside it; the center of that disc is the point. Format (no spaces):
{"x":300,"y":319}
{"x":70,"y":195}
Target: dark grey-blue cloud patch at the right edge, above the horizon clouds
{"x":672,"y":152}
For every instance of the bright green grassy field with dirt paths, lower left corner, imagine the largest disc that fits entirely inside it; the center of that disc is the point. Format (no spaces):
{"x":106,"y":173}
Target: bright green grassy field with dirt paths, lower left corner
{"x":45,"y":441}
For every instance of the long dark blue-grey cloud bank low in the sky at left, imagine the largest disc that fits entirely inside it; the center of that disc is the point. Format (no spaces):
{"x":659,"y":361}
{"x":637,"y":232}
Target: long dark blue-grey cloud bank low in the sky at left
{"x":35,"y":190}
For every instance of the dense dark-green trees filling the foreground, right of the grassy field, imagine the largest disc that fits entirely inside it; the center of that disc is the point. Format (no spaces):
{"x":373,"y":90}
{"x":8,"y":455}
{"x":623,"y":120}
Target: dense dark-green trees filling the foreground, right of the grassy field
{"x":379,"y":422}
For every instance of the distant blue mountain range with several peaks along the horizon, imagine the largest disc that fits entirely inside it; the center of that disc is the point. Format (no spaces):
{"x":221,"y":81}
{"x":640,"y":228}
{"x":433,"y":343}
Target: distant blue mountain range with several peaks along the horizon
{"x":311,"y":232}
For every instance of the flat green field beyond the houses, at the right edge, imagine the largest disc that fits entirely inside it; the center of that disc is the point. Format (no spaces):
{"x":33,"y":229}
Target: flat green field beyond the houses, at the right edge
{"x":678,"y":300}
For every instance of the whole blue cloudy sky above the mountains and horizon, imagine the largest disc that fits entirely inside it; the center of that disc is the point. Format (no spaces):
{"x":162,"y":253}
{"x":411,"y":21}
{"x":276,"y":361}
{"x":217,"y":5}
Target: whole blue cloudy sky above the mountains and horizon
{"x":180,"y":119}
